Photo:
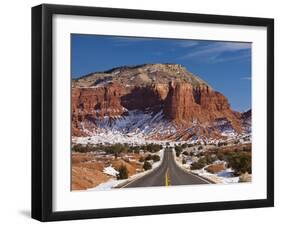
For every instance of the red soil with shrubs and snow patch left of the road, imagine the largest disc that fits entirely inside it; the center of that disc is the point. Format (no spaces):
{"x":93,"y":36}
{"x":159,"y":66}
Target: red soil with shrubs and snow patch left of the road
{"x":104,"y":161}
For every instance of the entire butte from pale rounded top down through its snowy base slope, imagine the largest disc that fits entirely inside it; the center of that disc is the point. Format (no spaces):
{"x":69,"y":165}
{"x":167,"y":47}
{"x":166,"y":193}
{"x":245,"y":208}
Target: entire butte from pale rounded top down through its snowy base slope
{"x":158,"y":101}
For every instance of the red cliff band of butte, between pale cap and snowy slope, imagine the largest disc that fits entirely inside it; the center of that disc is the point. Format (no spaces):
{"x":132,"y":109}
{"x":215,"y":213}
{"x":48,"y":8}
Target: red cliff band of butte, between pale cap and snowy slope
{"x":183,"y":103}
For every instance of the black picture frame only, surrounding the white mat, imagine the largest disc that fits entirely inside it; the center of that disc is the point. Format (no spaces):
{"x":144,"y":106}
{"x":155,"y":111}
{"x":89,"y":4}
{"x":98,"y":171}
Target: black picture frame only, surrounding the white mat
{"x":42,"y":111}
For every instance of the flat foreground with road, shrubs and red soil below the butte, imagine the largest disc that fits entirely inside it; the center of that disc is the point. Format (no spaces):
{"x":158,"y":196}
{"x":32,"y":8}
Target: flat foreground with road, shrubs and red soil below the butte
{"x":100,"y":170}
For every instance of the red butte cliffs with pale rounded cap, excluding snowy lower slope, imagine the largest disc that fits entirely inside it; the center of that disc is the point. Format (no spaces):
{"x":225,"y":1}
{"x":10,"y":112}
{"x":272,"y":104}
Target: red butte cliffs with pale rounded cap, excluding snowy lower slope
{"x":183,"y":97}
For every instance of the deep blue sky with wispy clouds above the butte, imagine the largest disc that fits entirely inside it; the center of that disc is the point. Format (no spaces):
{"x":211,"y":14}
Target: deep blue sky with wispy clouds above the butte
{"x":226,"y":66}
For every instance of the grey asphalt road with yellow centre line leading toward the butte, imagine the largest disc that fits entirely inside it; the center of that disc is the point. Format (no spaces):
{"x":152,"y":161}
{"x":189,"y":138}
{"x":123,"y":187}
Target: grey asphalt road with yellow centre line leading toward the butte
{"x":167,"y":174}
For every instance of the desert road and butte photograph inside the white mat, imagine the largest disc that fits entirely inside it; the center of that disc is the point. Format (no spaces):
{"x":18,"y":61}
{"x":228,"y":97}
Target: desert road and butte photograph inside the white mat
{"x":149,"y":112}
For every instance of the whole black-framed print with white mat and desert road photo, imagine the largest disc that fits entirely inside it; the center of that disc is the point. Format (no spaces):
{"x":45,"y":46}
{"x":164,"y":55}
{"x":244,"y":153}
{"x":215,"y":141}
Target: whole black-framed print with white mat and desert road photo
{"x":146,"y":112}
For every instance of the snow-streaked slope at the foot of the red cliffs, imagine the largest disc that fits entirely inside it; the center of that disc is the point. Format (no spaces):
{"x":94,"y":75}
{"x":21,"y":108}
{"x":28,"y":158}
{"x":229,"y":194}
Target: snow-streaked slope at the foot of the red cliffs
{"x":139,"y":127}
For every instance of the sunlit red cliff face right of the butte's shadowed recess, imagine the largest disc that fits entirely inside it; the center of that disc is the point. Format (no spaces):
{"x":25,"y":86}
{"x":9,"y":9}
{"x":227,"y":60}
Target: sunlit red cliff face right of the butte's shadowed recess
{"x":186,"y":104}
